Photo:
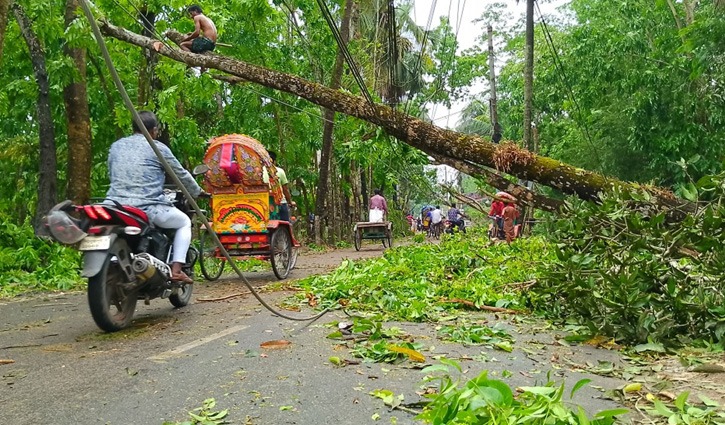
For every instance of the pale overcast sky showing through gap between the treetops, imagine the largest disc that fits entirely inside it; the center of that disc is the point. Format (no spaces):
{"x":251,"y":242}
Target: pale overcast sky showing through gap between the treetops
{"x":462,"y":14}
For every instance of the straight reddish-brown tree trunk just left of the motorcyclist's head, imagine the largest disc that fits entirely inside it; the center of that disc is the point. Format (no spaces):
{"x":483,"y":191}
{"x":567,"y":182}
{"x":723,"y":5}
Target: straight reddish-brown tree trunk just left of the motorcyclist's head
{"x":78,"y":120}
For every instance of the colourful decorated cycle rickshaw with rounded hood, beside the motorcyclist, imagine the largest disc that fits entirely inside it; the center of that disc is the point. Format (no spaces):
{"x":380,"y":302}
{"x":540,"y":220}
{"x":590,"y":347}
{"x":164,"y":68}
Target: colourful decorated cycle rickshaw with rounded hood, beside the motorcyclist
{"x":245,"y":200}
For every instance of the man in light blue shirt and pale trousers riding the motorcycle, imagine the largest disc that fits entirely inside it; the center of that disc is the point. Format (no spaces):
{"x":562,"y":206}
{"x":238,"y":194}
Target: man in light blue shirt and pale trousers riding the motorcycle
{"x":137,"y":179}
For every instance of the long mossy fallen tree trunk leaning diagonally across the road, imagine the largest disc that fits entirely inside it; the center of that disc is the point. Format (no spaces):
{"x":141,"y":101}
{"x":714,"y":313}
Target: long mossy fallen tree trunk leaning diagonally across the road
{"x":506,"y":157}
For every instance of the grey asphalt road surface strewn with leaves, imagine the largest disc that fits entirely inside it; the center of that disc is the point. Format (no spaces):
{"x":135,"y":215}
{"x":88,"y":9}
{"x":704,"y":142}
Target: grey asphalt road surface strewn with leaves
{"x":68,"y":372}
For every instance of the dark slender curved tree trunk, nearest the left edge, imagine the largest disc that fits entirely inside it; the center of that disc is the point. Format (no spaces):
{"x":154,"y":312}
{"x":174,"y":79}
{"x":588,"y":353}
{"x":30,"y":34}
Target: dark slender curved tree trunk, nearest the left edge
{"x":48,"y":163}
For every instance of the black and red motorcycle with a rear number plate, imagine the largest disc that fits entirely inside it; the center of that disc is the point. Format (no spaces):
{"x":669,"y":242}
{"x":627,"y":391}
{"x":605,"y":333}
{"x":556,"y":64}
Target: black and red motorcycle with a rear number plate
{"x":125,"y":258}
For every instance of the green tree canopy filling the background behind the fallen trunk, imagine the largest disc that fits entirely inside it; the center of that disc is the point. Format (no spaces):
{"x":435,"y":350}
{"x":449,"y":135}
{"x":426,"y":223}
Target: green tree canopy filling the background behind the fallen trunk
{"x":630,"y":91}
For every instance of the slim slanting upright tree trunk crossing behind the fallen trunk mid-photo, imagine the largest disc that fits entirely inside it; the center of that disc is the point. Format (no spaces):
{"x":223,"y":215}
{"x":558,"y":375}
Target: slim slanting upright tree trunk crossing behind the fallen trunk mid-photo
{"x":328,"y":127}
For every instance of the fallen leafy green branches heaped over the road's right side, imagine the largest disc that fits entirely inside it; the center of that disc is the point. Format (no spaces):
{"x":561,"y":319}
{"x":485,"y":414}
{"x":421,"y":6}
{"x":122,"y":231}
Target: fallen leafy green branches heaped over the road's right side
{"x":620,"y":274}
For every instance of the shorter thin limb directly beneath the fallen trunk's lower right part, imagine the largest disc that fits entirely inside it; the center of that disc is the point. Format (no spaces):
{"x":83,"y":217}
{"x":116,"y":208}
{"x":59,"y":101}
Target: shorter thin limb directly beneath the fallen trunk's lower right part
{"x":521,"y":193}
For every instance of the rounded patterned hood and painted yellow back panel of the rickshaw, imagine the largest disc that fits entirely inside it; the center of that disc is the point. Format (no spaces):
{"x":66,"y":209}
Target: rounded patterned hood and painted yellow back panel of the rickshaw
{"x":244,"y":184}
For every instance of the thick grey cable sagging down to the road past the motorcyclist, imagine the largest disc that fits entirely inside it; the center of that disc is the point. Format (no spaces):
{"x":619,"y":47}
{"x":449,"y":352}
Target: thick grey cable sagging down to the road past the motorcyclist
{"x":134,"y":114}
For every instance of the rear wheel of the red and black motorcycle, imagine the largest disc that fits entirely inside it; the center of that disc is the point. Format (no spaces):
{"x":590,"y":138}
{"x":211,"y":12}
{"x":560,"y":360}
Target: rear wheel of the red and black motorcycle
{"x":112,"y":306}
